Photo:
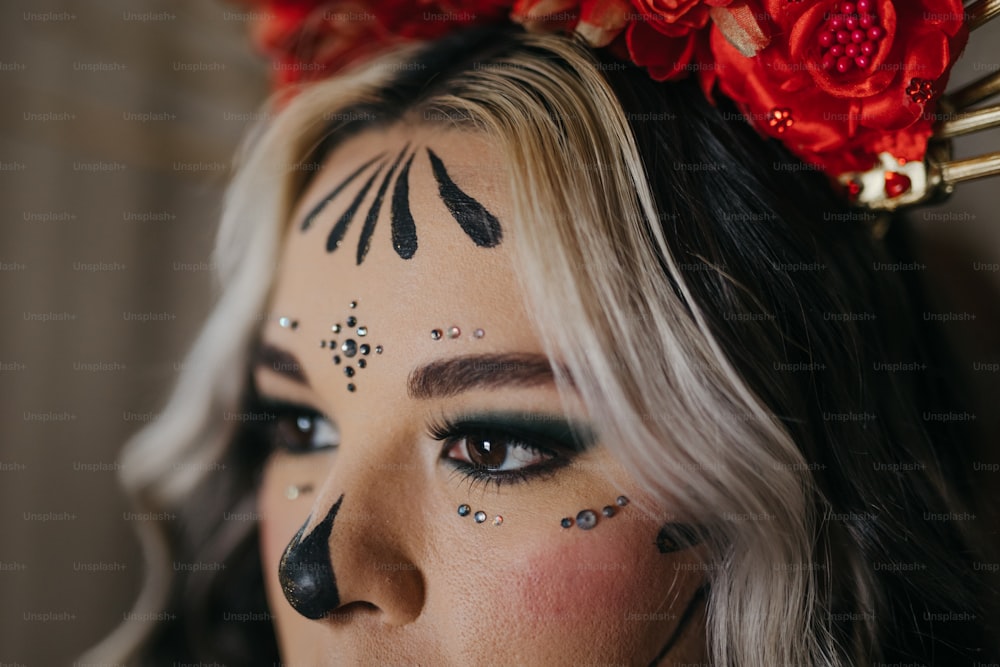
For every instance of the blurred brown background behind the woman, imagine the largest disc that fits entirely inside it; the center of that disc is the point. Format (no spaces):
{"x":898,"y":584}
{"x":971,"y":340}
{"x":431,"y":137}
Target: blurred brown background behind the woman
{"x":117,"y":124}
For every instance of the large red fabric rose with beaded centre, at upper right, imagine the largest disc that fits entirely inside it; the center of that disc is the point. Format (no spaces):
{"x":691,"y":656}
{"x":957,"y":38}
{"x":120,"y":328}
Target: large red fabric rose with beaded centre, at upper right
{"x":842,"y":81}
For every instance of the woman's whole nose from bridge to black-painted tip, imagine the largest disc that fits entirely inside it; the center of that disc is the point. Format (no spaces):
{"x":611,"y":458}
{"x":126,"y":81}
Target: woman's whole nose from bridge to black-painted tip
{"x":361,"y":544}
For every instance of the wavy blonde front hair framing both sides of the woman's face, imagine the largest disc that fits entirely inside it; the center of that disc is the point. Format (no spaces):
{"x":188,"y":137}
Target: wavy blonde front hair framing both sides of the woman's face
{"x":597,"y":268}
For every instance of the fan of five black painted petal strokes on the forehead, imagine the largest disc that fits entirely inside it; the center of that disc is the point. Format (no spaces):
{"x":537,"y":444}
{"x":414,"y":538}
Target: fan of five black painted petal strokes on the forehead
{"x":475,"y":220}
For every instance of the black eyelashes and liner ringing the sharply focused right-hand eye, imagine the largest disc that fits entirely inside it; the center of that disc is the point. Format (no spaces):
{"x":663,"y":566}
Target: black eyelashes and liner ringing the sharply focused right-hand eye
{"x":452,"y":432}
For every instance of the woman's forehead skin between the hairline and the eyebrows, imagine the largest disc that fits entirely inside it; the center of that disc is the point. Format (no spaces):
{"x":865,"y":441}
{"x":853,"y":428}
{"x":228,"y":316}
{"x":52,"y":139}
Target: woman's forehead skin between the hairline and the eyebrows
{"x":447,"y":281}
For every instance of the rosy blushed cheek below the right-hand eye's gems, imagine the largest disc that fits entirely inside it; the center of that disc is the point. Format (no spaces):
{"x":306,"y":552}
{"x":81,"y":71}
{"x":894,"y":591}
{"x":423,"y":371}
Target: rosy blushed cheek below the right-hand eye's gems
{"x":611,"y":595}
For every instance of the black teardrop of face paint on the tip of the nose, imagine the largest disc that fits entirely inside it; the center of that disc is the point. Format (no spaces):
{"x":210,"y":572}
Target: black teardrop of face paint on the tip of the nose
{"x":306,"y":572}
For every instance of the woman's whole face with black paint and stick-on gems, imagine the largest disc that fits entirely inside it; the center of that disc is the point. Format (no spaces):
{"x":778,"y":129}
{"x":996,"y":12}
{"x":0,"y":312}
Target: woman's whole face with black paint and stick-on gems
{"x":412,"y":394}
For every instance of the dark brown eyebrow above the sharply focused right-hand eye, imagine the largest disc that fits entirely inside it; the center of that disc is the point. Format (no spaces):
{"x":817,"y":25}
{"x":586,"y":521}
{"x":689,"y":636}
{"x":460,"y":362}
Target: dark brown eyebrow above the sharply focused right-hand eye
{"x":448,"y":377}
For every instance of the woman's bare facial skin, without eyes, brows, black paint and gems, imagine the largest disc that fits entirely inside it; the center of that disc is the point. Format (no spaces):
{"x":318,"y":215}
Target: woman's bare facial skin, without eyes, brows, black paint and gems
{"x":417,"y":583}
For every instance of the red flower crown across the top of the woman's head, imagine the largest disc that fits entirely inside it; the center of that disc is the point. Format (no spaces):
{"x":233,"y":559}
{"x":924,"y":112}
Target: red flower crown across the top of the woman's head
{"x":851,"y":87}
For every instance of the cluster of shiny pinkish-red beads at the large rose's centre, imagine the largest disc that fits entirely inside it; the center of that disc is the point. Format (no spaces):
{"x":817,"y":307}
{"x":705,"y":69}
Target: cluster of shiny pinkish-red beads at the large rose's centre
{"x":850,"y":37}
